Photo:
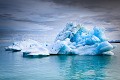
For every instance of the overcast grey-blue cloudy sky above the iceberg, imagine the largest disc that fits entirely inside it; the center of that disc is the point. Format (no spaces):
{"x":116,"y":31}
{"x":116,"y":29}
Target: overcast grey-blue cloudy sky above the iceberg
{"x":53,"y":15}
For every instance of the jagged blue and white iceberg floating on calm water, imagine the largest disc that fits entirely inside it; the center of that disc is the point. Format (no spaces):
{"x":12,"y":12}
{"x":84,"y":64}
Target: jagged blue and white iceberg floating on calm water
{"x":74,"y":39}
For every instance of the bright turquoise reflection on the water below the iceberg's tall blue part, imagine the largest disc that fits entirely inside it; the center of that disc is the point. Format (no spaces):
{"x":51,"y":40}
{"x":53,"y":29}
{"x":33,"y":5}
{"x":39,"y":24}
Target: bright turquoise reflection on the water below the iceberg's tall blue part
{"x":83,"y":67}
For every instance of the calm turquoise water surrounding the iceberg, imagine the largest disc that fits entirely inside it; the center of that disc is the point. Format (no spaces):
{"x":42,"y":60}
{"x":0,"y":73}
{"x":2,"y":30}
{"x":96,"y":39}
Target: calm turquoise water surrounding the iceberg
{"x":13,"y":66}
